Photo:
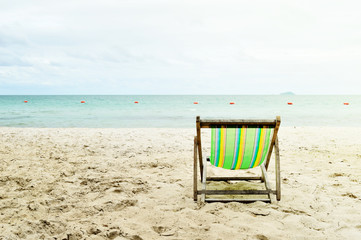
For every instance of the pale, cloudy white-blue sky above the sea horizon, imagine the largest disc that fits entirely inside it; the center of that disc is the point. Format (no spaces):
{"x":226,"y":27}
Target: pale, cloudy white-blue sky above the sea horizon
{"x":180,"y":47}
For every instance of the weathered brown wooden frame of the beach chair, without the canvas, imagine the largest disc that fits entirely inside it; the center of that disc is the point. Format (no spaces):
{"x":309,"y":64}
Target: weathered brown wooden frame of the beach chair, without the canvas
{"x":198,"y":158}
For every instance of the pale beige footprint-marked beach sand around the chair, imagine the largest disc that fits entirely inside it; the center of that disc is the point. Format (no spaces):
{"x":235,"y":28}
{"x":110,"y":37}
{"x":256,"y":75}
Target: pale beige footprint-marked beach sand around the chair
{"x":137,"y":184}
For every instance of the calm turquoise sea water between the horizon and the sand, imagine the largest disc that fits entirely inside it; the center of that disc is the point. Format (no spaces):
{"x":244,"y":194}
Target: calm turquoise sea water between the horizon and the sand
{"x":175,"y":111}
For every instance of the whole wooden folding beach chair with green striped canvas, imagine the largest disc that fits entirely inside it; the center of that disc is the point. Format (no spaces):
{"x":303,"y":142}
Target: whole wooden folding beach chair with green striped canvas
{"x":237,"y":145}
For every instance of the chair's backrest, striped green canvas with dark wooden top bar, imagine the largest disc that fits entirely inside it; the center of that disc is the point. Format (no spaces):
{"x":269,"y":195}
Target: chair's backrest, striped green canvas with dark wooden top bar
{"x":240,"y":144}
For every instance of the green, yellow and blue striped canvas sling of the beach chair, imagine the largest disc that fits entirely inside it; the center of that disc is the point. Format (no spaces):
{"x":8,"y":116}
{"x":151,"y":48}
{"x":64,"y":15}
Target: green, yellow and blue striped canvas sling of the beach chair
{"x":240,"y":148}
